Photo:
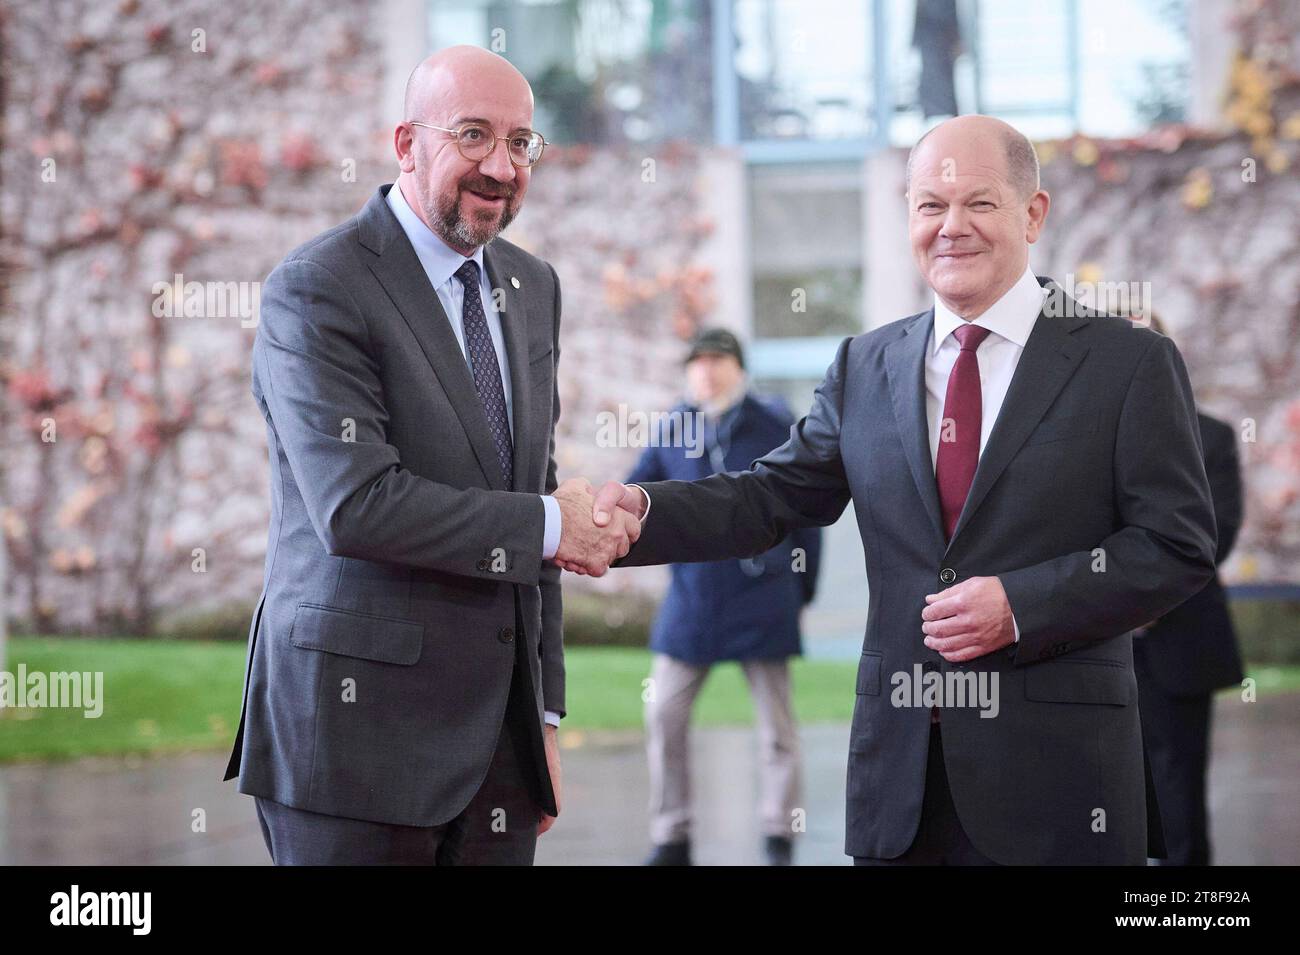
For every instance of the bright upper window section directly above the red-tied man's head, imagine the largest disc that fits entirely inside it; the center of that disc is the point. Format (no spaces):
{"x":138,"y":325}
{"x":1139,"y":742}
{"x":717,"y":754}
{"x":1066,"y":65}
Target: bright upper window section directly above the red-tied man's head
{"x":1133,"y":59}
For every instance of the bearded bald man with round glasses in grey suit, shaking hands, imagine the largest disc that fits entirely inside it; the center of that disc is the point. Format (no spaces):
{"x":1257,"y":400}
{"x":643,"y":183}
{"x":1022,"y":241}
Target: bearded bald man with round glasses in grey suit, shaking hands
{"x":406,"y":650}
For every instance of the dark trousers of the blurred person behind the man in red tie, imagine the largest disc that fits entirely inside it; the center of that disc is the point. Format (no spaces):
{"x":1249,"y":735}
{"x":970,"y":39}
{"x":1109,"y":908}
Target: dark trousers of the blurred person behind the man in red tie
{"x":1177,"y":733}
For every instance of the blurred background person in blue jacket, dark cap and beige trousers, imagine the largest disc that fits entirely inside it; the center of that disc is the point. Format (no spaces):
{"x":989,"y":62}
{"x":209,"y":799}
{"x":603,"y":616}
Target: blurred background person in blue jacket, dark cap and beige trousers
{"x":727,"y":610}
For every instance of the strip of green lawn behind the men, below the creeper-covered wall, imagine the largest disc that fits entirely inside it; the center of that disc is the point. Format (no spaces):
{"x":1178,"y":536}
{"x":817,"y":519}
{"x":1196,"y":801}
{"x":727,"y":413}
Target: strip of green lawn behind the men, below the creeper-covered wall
{"x":181,"y":696}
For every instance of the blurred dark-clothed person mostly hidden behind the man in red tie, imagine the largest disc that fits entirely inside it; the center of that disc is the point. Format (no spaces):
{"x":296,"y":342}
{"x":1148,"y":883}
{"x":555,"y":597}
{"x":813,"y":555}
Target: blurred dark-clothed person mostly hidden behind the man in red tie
{"x":1182,"y":658}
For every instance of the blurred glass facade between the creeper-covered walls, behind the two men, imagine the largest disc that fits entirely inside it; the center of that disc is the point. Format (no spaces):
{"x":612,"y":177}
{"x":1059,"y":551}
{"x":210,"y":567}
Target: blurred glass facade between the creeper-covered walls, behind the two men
{"x":807,"y":89}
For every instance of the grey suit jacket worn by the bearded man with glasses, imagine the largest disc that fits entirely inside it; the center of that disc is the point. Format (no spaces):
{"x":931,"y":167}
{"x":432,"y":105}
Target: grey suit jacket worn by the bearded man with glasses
{"x":402,"y":575}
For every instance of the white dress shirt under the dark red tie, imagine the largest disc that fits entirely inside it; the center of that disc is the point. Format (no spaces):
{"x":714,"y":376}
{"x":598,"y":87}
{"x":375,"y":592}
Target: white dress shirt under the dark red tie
{"x":1009,"y":320}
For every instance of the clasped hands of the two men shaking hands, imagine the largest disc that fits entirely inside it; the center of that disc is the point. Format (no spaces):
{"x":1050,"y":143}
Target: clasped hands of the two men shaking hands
{"x":597,"y":528}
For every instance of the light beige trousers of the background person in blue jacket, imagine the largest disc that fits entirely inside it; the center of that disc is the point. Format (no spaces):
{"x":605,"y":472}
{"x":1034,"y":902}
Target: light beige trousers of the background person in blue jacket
{"x":668,"y":715}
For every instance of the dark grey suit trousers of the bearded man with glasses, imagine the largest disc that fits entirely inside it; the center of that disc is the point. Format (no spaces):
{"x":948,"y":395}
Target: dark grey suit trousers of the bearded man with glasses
{"x":497,"y":828}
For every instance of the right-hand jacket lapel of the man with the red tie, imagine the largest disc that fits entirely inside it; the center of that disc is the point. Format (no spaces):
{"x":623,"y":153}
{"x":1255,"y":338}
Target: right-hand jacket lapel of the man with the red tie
{"x":1051,"y":357}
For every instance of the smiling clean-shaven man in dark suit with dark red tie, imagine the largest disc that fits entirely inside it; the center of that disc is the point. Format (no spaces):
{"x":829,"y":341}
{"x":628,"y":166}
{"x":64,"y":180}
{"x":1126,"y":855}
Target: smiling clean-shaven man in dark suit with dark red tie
{"x":1028,"y":481}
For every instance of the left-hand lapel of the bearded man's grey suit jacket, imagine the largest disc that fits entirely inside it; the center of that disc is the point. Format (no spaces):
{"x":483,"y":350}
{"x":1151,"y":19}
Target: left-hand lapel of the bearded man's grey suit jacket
{"x":400,"y":272}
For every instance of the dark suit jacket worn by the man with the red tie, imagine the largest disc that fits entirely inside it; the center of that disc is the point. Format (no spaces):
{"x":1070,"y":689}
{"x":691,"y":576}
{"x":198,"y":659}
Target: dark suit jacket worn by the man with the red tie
{"x":1093,"y":507}
